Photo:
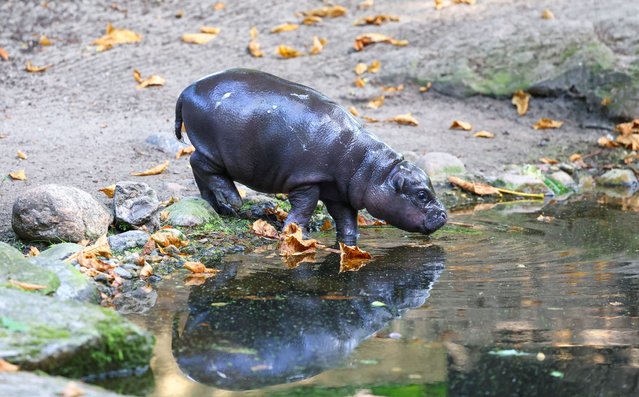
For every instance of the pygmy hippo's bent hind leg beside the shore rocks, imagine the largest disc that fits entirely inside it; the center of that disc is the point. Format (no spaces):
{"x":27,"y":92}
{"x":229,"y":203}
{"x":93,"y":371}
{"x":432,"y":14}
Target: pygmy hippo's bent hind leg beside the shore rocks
{"x":215,"y":186}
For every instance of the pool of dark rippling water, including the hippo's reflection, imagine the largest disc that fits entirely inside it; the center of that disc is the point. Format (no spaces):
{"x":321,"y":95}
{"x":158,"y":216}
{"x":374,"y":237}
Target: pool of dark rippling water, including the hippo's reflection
{"x":498,"y":304}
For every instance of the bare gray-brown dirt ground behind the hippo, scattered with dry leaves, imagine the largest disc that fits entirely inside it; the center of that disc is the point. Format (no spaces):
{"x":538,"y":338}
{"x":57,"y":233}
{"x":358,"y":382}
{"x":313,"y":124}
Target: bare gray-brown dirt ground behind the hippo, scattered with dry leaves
{"x":83,"y":122}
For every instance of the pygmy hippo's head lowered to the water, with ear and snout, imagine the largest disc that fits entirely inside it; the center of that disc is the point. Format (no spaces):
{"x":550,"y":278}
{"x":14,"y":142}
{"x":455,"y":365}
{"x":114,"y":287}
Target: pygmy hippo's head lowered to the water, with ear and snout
{"x":406,"y":199}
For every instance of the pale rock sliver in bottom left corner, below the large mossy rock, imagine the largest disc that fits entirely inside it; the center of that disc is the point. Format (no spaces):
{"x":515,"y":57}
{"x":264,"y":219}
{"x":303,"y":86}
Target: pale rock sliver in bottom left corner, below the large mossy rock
{"x":27,"y":384}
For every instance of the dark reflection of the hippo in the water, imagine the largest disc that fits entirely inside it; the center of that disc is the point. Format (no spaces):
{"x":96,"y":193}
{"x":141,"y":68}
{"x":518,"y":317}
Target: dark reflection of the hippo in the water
{"x":280,"y":326}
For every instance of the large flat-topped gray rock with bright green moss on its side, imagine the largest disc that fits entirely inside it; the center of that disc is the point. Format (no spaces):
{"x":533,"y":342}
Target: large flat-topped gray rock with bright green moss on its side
{"x":68,"y":338}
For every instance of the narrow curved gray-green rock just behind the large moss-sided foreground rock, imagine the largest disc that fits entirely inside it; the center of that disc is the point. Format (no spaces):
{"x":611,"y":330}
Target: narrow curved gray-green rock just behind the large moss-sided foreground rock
{"x":73,"y":284}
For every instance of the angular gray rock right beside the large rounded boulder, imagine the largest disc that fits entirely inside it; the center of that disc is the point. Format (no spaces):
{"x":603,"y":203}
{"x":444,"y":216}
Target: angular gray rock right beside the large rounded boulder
{"x":136,"y":204}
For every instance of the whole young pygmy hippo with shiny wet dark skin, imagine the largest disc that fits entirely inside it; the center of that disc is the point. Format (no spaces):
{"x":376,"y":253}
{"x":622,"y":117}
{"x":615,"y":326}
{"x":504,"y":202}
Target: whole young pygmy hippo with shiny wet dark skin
{"x":276,"y":136}
